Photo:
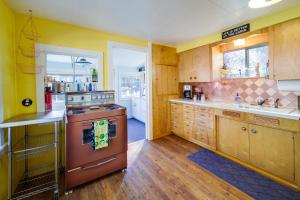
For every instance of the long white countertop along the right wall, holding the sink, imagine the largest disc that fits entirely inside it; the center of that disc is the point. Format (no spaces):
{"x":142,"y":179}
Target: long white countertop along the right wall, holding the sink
{"x":287,"y":113}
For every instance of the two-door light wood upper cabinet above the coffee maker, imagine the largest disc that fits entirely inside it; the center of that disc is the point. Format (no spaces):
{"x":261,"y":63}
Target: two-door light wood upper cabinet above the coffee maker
{"x":195,"y":65}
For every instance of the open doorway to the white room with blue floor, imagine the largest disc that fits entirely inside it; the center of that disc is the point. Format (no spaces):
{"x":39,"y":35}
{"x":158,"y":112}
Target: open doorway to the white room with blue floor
{"x":129,"y":80}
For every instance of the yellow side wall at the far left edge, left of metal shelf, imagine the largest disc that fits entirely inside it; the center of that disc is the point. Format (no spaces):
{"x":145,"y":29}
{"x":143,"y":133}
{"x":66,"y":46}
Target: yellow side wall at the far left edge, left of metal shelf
{"x":8,"y":75}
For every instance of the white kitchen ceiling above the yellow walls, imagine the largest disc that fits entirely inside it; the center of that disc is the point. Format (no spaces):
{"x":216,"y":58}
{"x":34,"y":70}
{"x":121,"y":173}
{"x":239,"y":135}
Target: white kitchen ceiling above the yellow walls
{"x":165,"y":21}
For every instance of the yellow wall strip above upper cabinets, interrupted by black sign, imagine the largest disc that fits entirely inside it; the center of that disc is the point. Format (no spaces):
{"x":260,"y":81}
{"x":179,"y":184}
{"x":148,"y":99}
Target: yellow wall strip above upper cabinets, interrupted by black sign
{"x":255,"y":24}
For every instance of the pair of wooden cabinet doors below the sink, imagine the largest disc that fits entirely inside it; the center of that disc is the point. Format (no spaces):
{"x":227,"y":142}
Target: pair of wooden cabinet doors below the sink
{"x":269,"y":149}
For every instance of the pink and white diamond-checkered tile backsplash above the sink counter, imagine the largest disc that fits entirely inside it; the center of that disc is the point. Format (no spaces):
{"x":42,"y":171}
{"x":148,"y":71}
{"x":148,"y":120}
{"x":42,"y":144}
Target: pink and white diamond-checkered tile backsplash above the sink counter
{"x":249,"y":90}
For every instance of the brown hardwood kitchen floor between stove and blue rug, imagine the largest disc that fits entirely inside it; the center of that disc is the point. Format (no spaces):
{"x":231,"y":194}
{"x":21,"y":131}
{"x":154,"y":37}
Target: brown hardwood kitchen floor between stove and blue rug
{"x":158,"y":169}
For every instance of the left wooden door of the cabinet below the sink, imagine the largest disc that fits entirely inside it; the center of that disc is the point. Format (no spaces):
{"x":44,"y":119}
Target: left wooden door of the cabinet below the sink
{"x":233,"y":138}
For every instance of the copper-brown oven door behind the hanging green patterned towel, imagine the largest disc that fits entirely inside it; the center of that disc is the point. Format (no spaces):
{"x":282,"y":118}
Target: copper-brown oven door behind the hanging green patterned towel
{"x":80,"y":152}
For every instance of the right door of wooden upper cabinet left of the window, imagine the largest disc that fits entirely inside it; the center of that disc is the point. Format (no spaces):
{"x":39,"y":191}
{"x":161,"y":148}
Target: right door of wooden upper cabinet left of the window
{"x":201,"y":71}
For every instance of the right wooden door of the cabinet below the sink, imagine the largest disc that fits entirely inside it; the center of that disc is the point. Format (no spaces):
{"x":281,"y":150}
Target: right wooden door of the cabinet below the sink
{"x":272,"y":150}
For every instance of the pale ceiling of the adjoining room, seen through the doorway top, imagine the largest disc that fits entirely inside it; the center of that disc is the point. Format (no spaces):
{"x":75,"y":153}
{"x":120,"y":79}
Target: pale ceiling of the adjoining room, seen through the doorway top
{"x":125,"y":58}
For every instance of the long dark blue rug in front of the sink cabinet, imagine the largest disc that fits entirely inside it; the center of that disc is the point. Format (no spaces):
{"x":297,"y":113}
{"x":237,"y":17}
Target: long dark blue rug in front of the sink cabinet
{"x":246,"y":180}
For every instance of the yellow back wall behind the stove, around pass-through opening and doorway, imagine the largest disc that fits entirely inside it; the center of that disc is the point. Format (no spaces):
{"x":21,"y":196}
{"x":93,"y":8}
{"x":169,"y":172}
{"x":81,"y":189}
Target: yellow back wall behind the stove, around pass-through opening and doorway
{"x":66,"y":35}
